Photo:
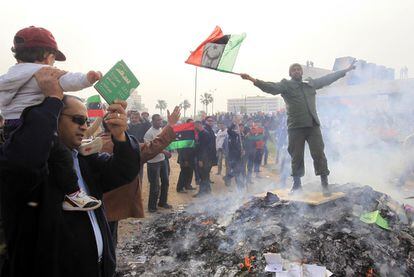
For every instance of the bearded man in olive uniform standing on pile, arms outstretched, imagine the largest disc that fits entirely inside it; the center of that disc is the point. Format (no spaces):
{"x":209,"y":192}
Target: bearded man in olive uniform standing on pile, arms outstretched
{"x":303,"y":122}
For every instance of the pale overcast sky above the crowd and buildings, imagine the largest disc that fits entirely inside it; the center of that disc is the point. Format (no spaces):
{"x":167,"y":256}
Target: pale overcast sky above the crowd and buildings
{"x":155,"y":38}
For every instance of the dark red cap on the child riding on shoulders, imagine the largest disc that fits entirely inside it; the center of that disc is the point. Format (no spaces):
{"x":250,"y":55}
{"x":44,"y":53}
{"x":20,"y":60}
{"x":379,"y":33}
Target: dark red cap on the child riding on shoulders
{"x":37,"y":37}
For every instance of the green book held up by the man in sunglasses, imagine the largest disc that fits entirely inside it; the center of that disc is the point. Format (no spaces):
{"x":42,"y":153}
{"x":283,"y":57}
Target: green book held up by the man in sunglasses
{"x":117,"y":83}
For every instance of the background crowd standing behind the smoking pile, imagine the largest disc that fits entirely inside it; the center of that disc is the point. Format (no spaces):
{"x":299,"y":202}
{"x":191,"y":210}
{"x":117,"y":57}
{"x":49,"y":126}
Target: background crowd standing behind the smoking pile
{"x":239,"y":144}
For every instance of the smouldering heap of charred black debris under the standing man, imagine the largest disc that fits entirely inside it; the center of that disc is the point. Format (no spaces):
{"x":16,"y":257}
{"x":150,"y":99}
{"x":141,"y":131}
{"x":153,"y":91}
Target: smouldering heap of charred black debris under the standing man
{"x":189,"y":243}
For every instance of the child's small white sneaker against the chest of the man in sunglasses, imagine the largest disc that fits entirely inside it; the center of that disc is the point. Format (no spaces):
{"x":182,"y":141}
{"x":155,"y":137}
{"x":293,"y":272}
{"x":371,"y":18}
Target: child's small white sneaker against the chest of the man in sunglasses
{"x":80,"y":201}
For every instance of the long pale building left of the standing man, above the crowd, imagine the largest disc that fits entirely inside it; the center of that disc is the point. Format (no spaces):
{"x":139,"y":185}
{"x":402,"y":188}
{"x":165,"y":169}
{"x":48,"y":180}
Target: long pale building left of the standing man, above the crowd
{"x":255,"y":104}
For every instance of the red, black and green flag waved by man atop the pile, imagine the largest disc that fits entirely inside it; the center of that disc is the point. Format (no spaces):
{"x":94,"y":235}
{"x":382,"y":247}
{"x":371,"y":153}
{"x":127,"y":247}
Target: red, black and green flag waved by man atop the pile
{"x":218,"y":51}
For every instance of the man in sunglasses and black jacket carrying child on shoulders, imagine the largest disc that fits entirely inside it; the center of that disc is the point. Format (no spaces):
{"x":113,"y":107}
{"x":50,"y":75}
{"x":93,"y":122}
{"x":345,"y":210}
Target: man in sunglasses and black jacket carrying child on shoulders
{"x":42,"y":239}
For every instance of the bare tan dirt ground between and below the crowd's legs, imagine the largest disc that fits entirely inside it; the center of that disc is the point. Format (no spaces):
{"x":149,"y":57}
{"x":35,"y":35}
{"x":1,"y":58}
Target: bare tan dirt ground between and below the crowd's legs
{"x":129,"y":227}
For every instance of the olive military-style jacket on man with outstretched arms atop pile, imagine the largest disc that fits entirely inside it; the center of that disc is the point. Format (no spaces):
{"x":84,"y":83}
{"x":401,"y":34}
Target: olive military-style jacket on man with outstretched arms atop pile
{"x":299,"y":97}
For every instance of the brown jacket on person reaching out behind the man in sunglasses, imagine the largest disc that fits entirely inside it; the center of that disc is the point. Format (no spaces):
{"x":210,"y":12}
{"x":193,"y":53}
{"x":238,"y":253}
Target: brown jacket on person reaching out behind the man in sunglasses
{"x":126,"y":201}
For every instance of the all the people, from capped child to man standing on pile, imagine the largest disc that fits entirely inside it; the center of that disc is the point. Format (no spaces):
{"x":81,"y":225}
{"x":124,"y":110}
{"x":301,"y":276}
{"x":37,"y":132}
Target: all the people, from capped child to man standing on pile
{"x":66,"y":183}
